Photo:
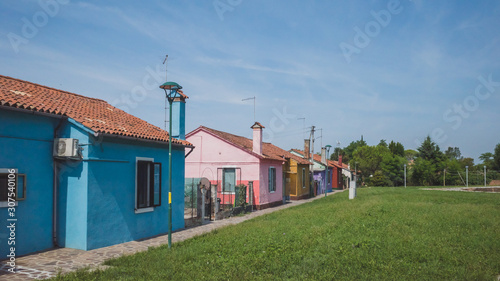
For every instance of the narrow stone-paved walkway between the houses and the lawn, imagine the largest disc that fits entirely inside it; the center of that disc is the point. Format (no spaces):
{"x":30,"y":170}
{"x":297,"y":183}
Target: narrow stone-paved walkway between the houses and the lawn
{"x":48,"y":263}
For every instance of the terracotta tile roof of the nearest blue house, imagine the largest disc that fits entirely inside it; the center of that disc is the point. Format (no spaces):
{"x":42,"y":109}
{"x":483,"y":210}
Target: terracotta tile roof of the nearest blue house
{"x":95,"y":114}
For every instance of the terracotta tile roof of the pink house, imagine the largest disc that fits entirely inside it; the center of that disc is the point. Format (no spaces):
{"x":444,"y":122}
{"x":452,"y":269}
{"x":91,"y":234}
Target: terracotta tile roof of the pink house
{"x":269,"y":150}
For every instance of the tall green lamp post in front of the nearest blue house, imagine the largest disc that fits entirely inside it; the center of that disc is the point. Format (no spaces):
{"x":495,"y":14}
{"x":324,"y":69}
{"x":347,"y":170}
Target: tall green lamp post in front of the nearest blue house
{"x":171,"y":93}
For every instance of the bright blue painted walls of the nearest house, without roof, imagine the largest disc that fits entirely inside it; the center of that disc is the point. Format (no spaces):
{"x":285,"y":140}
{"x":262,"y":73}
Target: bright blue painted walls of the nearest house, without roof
{"x":96,"y":196}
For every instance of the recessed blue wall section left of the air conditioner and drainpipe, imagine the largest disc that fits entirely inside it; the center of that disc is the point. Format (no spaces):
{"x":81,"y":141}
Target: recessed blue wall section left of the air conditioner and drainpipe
{"x":26,"y":142}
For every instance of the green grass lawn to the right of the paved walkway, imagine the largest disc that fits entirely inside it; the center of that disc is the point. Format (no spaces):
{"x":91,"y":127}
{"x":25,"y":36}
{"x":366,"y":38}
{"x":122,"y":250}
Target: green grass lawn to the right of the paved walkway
{"x":385,"y":233}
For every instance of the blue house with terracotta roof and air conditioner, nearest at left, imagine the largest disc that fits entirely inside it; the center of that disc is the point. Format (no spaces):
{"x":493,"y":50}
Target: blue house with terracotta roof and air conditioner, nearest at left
{"x":88,"y":175}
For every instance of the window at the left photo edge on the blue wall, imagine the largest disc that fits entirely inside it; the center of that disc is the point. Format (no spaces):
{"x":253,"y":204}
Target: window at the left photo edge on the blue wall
{"x":12,"y":186}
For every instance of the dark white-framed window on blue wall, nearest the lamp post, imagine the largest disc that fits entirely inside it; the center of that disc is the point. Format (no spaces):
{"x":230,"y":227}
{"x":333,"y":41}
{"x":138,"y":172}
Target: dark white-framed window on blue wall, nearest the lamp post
{"x":148,"y":184}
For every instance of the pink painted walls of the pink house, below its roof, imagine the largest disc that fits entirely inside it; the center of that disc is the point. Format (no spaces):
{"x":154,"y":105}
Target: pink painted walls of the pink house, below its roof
{"x":211,"y":153}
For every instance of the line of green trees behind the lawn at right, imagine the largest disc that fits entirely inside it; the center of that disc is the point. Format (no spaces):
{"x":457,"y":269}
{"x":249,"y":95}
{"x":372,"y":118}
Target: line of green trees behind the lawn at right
{"x":383,"y":164}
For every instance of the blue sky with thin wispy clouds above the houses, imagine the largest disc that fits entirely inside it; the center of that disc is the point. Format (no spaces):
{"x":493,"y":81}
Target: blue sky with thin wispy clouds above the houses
{"x":412,"y":69}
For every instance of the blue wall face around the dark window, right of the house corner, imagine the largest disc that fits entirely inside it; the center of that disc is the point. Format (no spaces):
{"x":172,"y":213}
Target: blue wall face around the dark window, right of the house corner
{"x":111,"y":192}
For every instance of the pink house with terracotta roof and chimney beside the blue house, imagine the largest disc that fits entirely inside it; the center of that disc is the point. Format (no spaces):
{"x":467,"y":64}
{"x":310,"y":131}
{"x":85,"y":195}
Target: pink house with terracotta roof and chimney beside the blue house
{"x":229,"y":160}
